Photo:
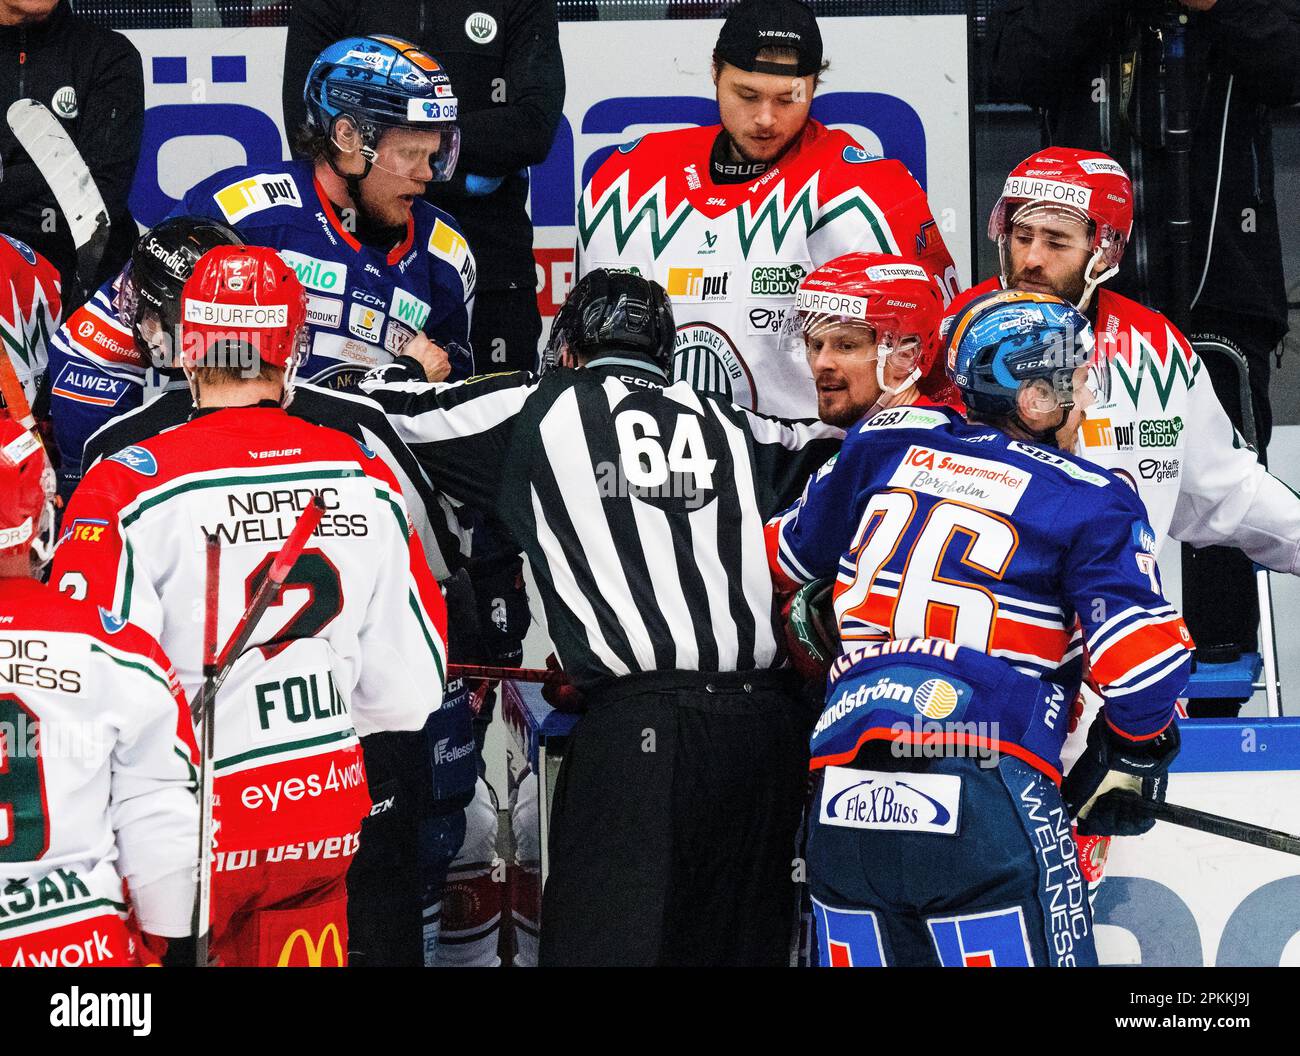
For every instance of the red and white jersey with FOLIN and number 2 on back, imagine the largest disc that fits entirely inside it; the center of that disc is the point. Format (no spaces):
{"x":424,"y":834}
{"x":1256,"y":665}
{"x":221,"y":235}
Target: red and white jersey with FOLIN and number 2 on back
{"x":356,"y":643}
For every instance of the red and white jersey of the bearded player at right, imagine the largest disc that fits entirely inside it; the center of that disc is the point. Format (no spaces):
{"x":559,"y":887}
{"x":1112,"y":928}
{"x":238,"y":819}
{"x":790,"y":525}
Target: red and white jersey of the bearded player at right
{"x":1164,"y":431}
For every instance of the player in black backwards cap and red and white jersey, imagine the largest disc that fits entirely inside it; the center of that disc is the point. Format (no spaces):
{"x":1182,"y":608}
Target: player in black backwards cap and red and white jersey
{"x":729,"y":219}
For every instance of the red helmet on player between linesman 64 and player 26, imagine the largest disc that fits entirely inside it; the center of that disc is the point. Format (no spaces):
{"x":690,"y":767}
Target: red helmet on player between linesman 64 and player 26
{"x":896,"y":300}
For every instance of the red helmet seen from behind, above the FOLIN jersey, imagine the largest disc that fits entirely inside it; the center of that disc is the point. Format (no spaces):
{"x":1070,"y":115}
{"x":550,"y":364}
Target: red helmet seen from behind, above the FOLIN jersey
{"x":244,"y":296}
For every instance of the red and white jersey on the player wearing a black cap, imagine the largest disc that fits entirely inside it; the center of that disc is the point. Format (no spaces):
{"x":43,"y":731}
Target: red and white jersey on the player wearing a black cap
{"x":731,"y":256}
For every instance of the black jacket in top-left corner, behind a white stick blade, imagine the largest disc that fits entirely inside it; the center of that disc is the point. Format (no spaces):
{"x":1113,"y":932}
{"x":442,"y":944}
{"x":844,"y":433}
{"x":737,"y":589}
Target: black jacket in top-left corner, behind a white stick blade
{"x":105,"y":118}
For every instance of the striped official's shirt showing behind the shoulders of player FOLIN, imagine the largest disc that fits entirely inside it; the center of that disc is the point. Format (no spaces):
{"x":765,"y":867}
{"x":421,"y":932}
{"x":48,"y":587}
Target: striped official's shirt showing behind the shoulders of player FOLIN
{"x":432,"y":516}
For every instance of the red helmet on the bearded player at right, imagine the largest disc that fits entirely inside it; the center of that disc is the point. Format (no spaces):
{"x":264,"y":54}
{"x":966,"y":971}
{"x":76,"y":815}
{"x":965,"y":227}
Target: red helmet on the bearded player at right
{"x":1087,"y":187}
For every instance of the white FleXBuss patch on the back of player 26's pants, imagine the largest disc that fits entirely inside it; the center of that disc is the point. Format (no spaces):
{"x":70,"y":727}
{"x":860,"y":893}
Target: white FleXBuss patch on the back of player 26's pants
{"x":900,"y":803}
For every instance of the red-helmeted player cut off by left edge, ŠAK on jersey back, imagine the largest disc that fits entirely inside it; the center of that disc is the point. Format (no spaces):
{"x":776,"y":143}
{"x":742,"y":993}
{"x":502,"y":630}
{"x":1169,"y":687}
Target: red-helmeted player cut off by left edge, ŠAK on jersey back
{"x":97,"y":758}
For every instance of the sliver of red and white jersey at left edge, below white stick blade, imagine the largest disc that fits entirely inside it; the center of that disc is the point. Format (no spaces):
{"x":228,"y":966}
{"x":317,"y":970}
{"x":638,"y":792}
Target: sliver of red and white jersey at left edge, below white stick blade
{"x":31,"y":310}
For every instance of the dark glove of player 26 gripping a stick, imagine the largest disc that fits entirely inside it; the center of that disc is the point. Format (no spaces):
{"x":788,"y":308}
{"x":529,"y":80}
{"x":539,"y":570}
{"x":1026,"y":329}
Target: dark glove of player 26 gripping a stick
{"x":1111,"y":763}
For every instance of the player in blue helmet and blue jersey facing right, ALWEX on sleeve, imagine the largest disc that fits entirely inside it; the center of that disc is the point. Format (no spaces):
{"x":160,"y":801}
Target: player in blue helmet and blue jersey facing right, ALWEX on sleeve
{"x":382,"y":266}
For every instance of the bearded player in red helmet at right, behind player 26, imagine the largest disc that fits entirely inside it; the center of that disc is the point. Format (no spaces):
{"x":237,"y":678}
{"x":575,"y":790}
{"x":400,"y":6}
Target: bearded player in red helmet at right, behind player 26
{"x":1063,"y":227}
